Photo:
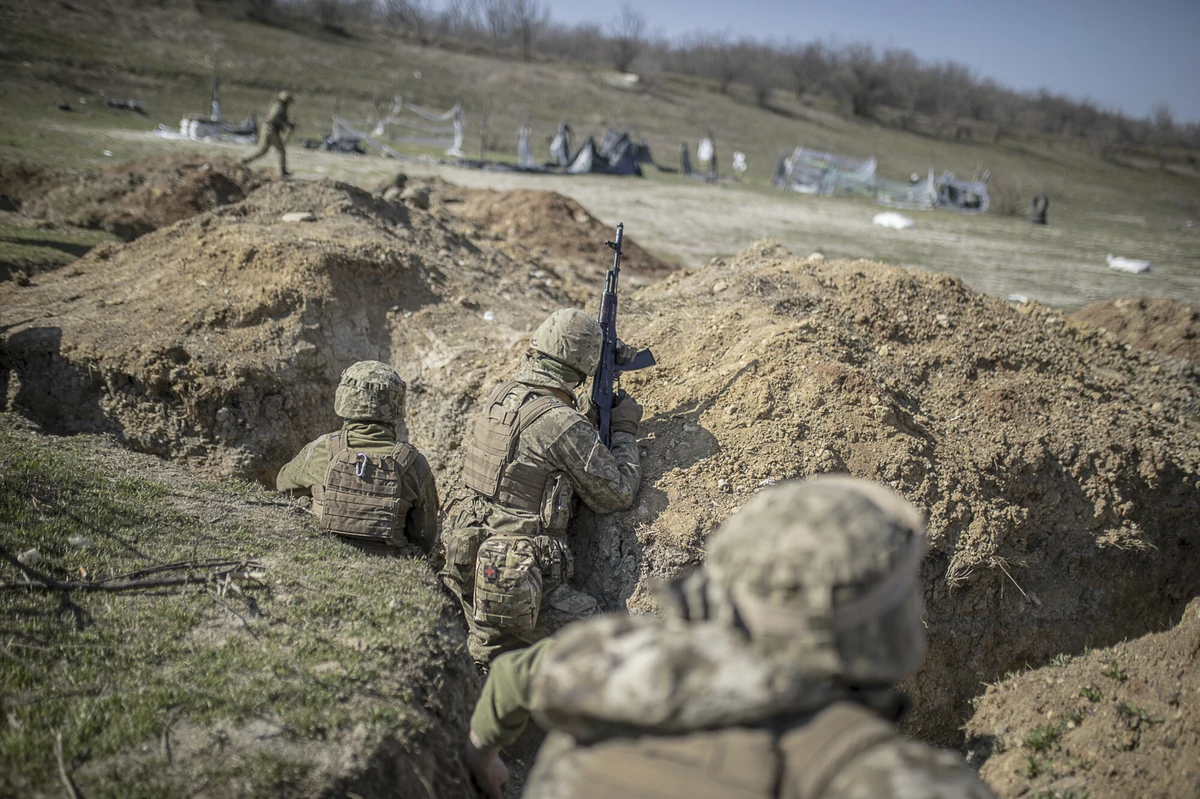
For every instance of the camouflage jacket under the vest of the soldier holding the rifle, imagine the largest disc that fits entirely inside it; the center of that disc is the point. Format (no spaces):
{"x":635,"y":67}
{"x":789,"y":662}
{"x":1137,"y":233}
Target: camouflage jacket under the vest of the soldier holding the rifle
{"x":607,"y":480}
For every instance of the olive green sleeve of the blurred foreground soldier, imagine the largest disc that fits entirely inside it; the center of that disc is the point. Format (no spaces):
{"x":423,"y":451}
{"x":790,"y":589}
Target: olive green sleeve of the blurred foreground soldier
{"x":507,"y":702}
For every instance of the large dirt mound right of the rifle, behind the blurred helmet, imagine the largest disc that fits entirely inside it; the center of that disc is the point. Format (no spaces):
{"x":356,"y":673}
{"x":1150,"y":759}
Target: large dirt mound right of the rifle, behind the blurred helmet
{"x":1058,"y":467}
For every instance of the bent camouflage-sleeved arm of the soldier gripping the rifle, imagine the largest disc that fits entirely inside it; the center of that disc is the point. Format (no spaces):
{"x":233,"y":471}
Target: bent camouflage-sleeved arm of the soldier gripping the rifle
{"x":605,"y":480}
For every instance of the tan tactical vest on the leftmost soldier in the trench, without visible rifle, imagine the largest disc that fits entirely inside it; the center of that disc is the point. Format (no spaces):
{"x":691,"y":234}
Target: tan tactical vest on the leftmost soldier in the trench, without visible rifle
{"x":361,"y":496}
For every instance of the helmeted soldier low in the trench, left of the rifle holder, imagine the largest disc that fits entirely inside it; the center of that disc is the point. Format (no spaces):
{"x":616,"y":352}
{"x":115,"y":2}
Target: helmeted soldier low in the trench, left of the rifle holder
{"x":369,"y":488}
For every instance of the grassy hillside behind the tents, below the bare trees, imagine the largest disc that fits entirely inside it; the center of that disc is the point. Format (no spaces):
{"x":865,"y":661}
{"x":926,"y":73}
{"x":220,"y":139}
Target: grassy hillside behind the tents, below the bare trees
{"x":70,"y":52}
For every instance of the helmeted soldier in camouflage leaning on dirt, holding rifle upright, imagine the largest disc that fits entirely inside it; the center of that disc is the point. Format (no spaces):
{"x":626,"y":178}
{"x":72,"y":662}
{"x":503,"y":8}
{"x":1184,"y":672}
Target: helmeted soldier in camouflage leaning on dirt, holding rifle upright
{"x":532,"y":455}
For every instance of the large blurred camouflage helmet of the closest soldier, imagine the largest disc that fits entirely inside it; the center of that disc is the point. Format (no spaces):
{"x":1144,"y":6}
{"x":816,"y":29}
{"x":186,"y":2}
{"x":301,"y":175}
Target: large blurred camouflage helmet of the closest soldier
{"x":825,"y":573}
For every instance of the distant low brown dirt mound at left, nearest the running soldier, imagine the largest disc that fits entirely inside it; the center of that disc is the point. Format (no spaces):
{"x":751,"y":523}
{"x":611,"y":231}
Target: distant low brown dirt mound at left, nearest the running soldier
{"x":130,"y":200}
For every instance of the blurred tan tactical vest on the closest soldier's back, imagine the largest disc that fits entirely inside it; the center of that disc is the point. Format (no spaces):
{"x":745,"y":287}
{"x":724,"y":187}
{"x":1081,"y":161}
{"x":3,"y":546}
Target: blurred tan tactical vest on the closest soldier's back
{"x":737,"y":764}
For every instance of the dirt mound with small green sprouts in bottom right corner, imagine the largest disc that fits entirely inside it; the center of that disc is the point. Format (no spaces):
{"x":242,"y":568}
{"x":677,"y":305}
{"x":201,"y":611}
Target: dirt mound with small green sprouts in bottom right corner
{"x":1112,"y":724}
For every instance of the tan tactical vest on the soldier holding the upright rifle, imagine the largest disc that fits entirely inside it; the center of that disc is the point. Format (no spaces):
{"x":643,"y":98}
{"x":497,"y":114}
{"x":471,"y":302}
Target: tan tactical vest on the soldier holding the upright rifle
{"x":489,"y":467}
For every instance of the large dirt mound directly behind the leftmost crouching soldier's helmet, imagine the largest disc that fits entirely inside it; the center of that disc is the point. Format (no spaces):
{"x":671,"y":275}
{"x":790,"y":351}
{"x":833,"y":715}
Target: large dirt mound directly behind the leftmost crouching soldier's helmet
{"x":218,"y":341}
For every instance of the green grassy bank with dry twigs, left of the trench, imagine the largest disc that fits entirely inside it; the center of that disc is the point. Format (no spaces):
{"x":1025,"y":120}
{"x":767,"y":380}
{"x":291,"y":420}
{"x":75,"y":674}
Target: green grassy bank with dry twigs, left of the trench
{"x":326,"y":641}
